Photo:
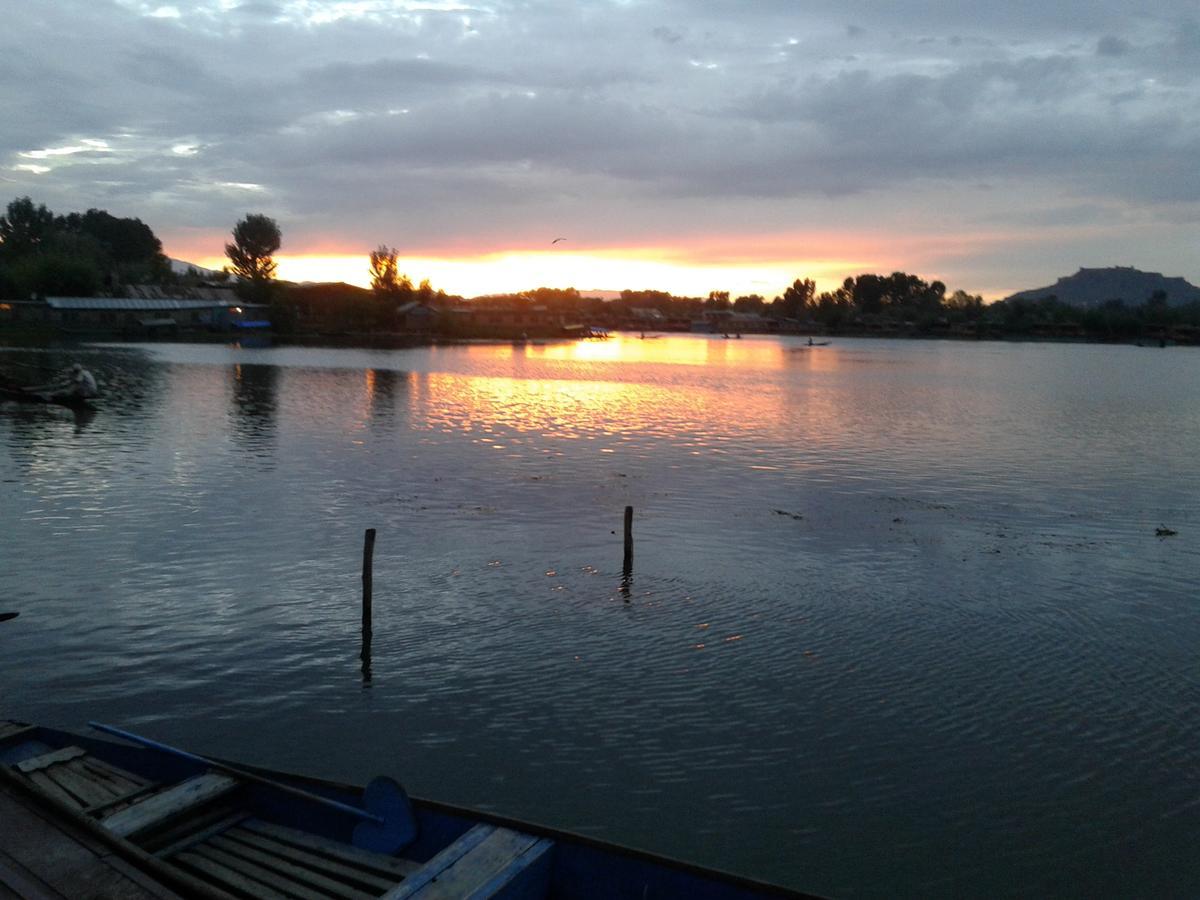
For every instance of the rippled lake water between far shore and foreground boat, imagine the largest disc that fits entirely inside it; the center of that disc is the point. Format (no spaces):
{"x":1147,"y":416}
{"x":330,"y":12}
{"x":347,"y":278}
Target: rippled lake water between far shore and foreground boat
{"x":898,"y":625}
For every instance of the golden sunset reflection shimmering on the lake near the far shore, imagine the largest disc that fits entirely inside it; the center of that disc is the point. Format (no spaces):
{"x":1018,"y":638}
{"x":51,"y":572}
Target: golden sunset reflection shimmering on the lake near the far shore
{"x":705,"y":394}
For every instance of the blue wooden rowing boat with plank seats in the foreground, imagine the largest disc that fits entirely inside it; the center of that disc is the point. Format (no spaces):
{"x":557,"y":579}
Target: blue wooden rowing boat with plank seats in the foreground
{"x":209,"y":830}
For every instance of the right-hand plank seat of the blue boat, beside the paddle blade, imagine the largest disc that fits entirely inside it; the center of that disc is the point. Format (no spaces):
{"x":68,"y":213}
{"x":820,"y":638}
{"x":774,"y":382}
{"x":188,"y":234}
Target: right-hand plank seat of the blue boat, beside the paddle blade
{"x":485,"y":862}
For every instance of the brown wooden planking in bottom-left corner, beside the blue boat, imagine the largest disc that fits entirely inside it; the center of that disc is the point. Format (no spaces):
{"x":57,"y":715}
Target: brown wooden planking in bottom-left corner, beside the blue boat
{"x":49,"y":856}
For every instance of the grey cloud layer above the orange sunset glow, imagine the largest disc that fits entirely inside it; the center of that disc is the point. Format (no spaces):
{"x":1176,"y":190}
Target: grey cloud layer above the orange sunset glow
{"x":339,"y":119}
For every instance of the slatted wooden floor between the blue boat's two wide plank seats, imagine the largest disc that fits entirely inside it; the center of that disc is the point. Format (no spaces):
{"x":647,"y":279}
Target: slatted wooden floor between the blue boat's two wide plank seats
{"x":244,"y":856}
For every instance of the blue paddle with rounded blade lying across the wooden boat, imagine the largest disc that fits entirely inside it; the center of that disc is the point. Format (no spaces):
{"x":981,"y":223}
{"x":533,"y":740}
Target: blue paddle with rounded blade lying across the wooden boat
{"x":388,"y":823}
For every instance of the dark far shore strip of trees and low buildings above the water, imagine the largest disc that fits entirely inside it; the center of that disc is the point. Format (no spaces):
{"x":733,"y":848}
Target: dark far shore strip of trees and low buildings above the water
{"x":97,"y":275}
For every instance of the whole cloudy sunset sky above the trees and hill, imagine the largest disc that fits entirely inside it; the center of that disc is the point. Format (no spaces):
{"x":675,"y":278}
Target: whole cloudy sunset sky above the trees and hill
{"x":673,"y":145}
